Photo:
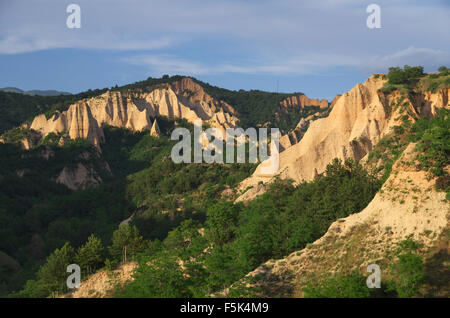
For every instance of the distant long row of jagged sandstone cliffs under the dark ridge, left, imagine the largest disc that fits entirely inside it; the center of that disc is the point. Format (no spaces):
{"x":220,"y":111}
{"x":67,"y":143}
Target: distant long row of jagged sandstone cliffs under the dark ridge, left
{"x":134,"y":109}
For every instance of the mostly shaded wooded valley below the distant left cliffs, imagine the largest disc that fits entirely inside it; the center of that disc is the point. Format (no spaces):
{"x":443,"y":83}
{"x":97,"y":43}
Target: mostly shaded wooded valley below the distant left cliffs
{"x":39,"y":216}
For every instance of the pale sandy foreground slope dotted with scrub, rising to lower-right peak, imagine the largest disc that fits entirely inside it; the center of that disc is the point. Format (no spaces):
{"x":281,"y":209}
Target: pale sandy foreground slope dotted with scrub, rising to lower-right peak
{"x":407,"y":206}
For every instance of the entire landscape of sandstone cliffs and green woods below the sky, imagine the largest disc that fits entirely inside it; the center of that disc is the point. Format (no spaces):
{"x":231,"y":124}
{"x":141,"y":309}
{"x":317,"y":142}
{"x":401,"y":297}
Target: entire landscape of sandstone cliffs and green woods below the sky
{"x":373,"y":161}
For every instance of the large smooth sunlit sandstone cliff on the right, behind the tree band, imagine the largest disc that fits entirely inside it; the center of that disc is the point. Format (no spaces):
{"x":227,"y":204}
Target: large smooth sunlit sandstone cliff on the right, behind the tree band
{"x":358,"y":120}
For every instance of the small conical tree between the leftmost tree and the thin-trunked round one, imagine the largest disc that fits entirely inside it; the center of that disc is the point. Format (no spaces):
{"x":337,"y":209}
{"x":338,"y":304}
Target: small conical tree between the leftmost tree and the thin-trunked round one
{"x":90,"y":256}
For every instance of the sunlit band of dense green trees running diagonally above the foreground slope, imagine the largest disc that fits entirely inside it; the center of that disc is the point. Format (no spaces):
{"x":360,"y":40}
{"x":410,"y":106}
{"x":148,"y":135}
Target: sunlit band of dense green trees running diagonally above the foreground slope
{"x":238,"y":238}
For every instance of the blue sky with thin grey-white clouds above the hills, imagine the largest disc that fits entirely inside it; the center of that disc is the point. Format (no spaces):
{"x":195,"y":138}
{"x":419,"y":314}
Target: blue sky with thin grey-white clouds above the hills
{"x":320,"y":48}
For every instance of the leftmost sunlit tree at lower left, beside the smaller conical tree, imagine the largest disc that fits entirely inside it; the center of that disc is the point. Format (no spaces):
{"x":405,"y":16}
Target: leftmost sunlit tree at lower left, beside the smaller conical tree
{"x":53,"y":274}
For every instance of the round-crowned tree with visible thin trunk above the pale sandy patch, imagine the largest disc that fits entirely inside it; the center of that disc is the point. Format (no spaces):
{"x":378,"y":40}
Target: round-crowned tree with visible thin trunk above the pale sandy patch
{"x":126,"y":242}
